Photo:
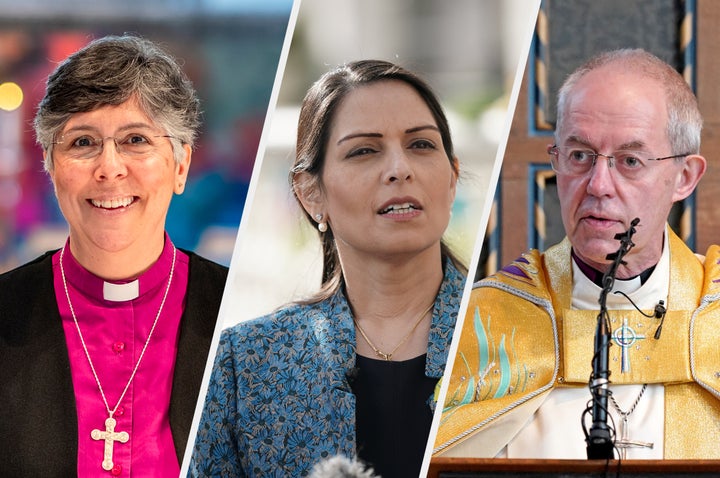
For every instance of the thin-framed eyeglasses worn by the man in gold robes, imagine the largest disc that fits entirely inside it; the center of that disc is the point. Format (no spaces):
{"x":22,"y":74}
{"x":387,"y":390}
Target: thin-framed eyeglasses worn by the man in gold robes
{"x":578,"y":162}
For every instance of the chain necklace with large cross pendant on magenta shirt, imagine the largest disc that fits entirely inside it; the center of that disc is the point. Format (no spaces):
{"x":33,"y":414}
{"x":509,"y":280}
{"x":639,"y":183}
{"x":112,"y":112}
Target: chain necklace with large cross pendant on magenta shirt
{"x":110,"y":435}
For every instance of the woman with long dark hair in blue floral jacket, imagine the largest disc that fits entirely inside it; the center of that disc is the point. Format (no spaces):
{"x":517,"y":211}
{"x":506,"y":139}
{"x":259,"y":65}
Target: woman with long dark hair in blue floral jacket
{"x":352,"y":370}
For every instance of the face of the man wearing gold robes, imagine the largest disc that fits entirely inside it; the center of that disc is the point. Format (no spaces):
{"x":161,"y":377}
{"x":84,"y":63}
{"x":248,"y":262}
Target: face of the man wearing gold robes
{"x":612,"y":110}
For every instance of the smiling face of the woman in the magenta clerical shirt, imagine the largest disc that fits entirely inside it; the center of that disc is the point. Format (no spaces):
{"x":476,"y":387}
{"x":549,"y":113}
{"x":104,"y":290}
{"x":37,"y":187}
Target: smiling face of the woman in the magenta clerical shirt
{"x":116,"y":203}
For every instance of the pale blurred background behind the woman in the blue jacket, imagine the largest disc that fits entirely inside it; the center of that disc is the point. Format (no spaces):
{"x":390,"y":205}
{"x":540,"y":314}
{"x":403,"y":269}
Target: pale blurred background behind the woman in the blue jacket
{"x":468,"y":50}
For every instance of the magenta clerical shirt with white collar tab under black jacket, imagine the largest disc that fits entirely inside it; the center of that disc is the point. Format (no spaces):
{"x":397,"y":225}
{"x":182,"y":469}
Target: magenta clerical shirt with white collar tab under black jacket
{"x":115,"y":319}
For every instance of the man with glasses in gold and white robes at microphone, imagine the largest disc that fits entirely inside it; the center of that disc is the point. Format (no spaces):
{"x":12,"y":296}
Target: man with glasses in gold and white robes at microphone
{"x":626,"y":148}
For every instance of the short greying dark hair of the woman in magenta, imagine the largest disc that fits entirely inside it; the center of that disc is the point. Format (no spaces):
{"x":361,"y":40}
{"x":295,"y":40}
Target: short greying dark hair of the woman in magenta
{"x":110,"y":71}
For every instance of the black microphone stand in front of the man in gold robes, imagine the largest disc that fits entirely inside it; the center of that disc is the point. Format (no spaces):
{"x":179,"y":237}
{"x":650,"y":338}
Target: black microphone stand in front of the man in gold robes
{"x":599,"y":439}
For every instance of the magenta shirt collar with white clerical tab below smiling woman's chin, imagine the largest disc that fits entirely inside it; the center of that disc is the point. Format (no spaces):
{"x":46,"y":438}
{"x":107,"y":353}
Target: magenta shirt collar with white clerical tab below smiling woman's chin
{"x":123,"y":290}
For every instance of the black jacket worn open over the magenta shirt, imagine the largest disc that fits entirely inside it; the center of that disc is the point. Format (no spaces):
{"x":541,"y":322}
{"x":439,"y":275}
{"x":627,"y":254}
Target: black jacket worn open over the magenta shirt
{"x":38,"y":418}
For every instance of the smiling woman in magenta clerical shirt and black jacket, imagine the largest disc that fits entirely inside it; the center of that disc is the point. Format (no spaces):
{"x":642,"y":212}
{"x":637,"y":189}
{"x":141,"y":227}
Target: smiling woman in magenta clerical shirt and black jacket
{"x":103,"y":342}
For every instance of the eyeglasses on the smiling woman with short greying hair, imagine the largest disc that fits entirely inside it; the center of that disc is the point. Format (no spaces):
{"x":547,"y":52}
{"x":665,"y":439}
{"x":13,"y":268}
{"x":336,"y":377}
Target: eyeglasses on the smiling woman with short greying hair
{"x":84,"y":146}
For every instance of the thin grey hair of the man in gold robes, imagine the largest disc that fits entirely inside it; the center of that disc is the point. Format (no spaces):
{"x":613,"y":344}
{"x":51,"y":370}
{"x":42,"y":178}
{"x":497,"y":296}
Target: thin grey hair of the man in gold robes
{"x":684,"y":119}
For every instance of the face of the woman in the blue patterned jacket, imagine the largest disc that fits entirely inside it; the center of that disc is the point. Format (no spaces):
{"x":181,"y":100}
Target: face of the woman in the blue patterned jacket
{"x":387,"y":185}
